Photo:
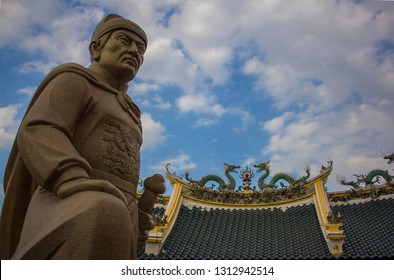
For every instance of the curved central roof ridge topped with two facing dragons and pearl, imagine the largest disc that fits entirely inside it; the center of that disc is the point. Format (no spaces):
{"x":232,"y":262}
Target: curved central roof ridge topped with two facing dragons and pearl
{"x":281,"y":188}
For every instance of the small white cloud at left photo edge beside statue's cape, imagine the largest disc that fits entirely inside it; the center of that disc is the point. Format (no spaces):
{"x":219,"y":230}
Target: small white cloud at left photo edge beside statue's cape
{"x":8,"y":125}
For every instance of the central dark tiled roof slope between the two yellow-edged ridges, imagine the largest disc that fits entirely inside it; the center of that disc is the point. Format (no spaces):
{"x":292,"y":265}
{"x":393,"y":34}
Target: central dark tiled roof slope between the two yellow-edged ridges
{"x":245,"y":234}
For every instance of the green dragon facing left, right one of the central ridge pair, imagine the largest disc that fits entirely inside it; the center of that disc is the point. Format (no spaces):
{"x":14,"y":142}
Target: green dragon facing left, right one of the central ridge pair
{"x":277,"y":177}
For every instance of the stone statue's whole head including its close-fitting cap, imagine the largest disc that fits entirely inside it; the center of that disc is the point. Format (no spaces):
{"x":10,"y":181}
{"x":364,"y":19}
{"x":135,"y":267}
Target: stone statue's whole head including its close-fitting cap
{"x":118,"y":45}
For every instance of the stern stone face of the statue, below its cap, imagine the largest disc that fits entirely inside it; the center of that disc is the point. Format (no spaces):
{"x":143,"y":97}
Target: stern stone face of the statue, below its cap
{"x":122,"y":55}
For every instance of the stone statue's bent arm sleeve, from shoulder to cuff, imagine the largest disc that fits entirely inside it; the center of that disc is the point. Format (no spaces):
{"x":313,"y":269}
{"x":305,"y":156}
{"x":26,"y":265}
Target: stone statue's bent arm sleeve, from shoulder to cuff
{"x":45,"y":137}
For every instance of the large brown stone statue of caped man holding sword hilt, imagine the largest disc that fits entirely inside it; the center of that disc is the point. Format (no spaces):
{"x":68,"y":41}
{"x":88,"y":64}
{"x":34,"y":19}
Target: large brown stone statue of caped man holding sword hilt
{"x":70,"y":182}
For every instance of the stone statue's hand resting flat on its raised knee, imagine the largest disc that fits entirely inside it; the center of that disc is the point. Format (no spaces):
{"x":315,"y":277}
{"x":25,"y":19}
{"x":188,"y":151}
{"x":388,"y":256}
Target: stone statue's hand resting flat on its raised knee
{"x":84,"y":184}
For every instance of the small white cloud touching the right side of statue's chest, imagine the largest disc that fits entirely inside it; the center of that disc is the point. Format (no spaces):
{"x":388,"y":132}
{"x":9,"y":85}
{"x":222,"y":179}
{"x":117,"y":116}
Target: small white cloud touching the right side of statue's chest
{"x":153,"y":132}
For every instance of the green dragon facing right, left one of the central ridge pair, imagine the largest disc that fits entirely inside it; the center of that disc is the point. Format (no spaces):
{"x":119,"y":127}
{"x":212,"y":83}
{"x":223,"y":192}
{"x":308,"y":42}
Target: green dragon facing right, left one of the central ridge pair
{"x":221,"y":183}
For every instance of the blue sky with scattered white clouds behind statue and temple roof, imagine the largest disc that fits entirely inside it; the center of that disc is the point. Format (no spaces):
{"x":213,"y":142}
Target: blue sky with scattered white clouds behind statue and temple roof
{"x":242,"y":82}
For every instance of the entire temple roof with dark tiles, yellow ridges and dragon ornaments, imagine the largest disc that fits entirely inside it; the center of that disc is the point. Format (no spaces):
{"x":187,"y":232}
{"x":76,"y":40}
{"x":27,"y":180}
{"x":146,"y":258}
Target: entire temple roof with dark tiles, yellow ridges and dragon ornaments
{"x":298,"y":221}
